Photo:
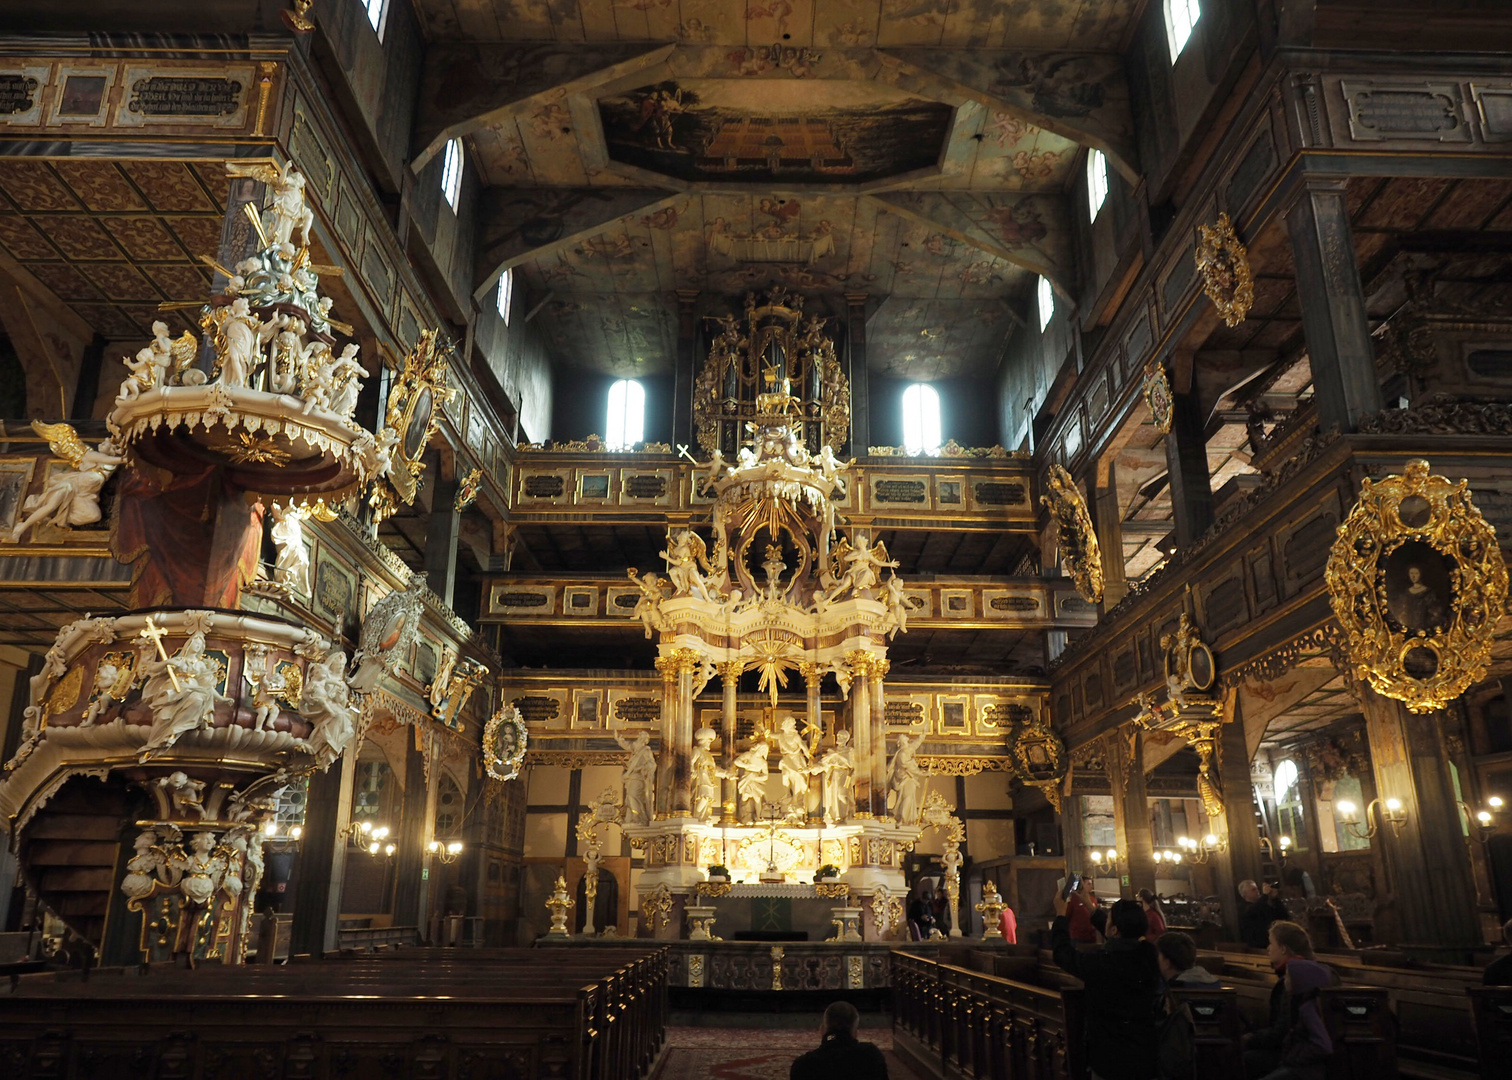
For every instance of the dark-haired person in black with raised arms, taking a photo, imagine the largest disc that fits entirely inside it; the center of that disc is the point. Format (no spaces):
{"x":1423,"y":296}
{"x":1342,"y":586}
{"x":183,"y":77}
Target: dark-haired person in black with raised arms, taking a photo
{"x":1126,"y":1002}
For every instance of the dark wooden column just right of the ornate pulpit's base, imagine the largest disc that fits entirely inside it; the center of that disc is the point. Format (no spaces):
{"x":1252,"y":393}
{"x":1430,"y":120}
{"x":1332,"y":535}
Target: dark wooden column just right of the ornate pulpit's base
{"x":323,"y":861}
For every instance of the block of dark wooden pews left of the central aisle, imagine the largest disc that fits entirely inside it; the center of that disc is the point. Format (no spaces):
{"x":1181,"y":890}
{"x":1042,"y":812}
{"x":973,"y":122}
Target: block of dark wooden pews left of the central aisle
{"x":482,"y":1014}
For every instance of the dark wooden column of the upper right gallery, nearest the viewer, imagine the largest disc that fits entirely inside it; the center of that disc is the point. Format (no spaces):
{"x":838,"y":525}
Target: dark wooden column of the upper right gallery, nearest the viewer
{"x":1333,"y":306}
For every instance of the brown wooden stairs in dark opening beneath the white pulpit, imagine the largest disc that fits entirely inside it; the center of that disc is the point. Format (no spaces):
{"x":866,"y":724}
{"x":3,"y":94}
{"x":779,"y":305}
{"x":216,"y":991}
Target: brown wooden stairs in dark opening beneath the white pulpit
{"x":70,"y":852}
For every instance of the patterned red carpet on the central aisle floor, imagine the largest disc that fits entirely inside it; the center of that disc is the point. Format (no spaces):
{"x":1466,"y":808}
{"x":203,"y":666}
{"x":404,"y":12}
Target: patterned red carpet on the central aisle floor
{"x":746,"y":1054}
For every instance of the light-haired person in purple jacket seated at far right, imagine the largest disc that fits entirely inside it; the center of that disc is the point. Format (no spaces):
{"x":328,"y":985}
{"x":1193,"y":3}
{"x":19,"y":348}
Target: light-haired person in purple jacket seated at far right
{"x":1289,"y":1047}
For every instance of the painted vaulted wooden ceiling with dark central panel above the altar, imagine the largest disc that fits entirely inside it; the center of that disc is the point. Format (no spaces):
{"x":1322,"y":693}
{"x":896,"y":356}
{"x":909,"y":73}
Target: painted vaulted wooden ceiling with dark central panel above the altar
{"x":919,"y":152}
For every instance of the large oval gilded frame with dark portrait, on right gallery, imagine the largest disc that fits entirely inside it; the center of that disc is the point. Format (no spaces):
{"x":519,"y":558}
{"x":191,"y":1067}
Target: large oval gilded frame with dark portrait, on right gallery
{"x":1417,"y":585}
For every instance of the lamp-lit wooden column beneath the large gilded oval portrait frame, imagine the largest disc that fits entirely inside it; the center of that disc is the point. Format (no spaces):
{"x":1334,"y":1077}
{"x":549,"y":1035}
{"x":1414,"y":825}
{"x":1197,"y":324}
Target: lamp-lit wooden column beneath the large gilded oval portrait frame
{"x":1427,"y":860}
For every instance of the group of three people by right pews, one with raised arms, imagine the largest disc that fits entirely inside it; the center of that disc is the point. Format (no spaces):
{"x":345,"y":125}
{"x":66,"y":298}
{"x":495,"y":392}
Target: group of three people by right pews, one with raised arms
{"x":1135,"y":1031}
